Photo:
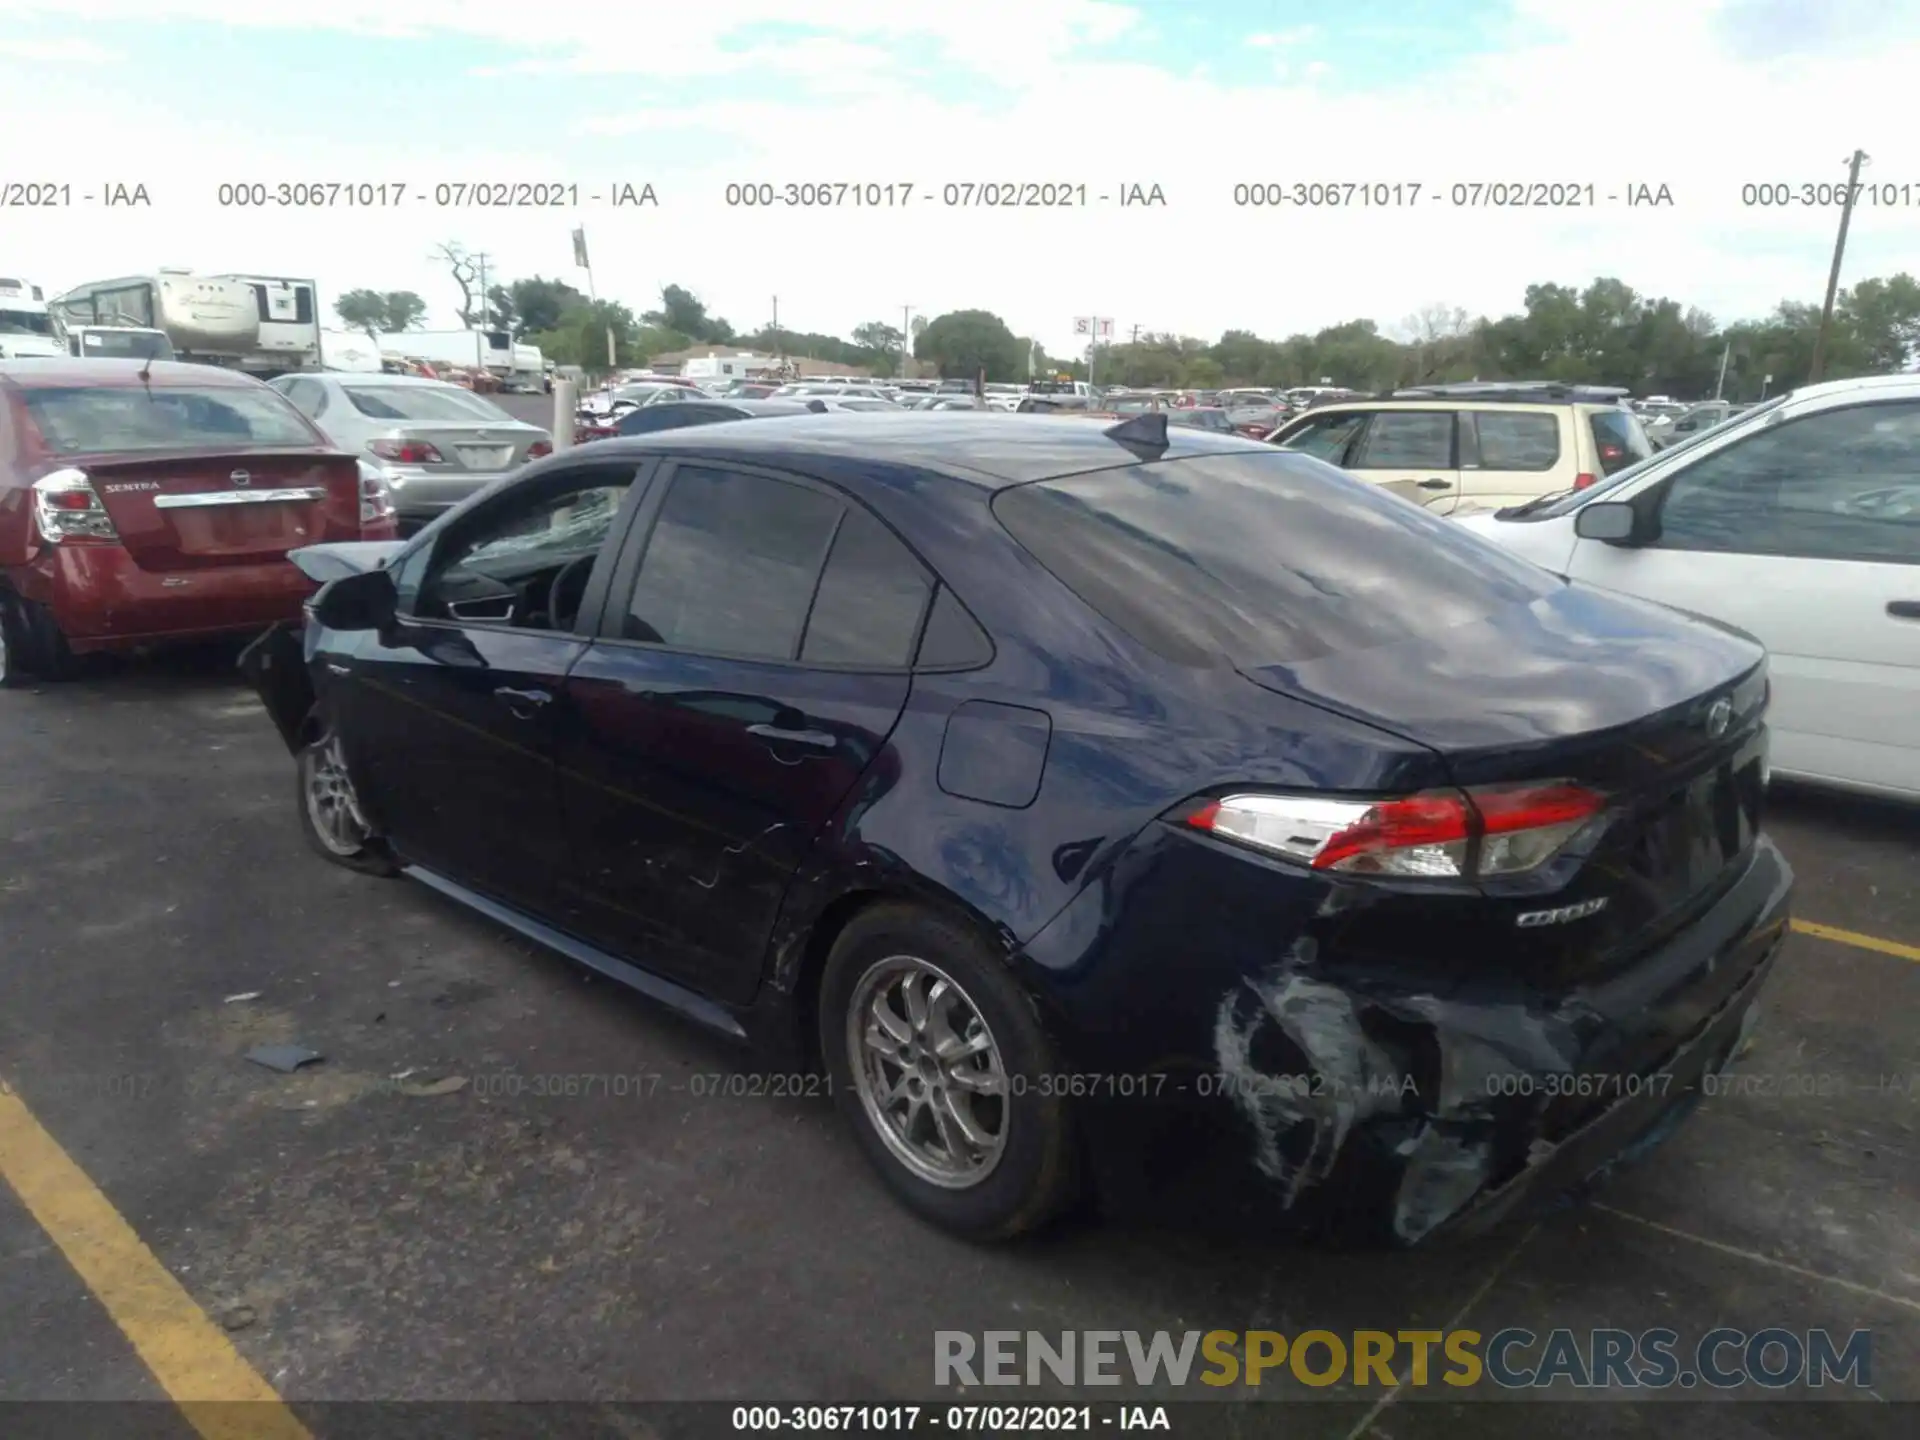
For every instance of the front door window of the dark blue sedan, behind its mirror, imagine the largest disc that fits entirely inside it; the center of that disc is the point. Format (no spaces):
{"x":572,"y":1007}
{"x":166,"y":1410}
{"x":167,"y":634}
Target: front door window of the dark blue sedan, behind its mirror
{"x":500,"y":564}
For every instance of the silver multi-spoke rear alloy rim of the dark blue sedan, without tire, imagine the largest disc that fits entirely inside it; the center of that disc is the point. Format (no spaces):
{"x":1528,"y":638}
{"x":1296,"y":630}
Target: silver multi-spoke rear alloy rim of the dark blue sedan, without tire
{"x":928,"y":1072}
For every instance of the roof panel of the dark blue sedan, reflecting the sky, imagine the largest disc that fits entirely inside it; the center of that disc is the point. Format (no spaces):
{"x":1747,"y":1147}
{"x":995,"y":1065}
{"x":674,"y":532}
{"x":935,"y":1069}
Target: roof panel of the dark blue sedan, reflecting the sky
{"x":1001,"y":450}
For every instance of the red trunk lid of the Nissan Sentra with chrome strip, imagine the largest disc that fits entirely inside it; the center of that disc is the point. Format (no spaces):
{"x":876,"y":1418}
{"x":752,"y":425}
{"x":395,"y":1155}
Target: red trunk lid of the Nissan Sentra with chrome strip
{"x":241,"y":508}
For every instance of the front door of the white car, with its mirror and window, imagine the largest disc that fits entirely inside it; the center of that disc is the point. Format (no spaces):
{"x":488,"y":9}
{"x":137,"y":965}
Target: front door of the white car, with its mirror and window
{"x":1806,"y":535}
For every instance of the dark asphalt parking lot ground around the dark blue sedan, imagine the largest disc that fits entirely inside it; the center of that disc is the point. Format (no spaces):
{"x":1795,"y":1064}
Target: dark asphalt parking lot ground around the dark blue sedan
{"x":661,"y":1239}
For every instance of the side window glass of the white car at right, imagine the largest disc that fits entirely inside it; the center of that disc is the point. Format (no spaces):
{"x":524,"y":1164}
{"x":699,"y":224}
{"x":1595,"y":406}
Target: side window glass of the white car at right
{"x":1835,"y":487}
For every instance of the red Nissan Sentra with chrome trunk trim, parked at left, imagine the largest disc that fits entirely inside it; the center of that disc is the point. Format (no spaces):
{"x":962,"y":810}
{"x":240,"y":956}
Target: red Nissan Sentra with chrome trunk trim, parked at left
{"x":153,"y":502}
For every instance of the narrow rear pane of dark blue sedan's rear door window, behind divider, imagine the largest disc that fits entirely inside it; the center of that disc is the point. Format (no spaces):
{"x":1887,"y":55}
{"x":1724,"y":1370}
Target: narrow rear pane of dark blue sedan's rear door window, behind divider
{"x":871,"y":600}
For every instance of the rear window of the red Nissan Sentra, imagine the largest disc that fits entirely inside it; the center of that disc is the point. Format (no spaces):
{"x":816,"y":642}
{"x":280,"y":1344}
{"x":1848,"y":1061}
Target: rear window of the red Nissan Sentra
{"x":76,"y":420}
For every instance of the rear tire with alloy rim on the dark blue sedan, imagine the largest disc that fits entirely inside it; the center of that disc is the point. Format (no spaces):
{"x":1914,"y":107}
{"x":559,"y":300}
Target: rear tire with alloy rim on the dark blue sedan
{"x":938,"y":1063}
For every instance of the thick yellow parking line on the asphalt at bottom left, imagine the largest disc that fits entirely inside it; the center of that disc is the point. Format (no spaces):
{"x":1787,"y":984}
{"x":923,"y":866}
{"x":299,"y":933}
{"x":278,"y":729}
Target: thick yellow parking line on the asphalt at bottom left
{"x":187,"y":1353}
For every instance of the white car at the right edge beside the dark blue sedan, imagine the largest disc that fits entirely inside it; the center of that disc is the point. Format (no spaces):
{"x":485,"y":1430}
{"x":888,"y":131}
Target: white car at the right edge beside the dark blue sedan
{"x":1798,"y":523}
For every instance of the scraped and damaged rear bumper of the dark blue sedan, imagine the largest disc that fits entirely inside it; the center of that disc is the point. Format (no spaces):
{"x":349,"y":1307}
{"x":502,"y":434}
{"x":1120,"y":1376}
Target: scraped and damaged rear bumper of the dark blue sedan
{"x":1345,"y":1099}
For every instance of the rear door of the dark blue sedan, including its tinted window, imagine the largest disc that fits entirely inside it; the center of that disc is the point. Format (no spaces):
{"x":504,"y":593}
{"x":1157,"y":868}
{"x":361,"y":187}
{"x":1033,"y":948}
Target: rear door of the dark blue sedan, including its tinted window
{"x":750,"y":669}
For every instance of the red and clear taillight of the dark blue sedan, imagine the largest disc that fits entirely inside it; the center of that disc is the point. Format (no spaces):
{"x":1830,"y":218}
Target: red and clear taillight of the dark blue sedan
{"x":1493,"y":830}
